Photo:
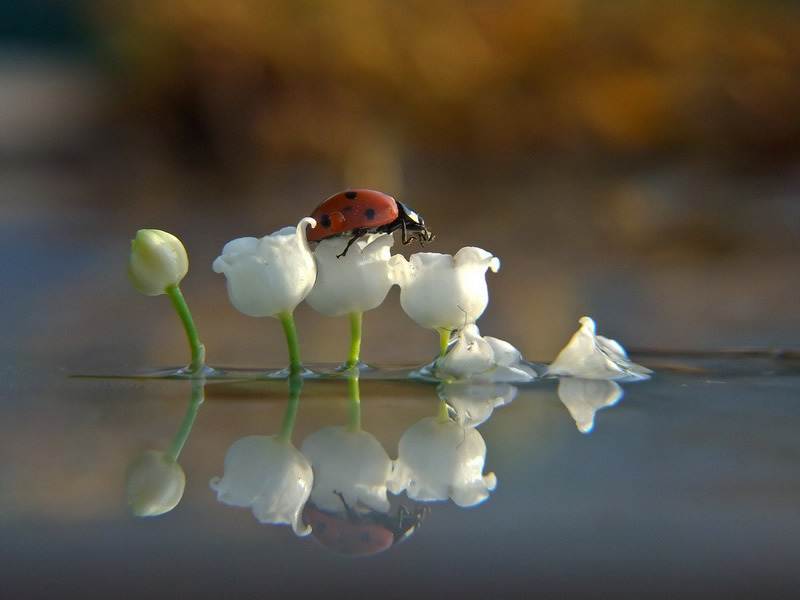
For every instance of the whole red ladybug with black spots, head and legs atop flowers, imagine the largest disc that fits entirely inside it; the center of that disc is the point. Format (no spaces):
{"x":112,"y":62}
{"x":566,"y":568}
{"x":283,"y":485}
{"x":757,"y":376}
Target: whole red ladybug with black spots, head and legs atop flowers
{"x":359,"y":212}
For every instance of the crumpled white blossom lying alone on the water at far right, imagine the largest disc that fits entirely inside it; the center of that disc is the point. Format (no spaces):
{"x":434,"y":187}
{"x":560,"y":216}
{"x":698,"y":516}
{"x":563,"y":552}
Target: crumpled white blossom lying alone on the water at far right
{"x":593,"y":356}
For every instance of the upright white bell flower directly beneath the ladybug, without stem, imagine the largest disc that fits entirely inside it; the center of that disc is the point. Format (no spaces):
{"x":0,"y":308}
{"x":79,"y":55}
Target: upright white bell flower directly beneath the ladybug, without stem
{"x":355,"y":282}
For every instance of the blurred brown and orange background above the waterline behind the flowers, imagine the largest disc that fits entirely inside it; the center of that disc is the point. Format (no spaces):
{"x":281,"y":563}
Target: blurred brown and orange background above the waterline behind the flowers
{"x":637,"y":162}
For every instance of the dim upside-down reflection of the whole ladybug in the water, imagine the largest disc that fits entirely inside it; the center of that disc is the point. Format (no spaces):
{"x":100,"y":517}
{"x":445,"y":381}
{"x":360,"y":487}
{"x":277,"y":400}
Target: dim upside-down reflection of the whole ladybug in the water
{"x":361,"y":533}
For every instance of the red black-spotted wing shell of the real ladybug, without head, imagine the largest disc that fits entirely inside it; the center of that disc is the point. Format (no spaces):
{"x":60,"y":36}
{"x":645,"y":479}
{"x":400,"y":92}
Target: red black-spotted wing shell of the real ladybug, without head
{"x":352,"y":209}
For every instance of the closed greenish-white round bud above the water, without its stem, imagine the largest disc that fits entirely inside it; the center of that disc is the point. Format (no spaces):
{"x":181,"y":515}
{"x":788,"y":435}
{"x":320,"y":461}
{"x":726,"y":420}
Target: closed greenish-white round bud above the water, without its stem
{"x":157,"y":261}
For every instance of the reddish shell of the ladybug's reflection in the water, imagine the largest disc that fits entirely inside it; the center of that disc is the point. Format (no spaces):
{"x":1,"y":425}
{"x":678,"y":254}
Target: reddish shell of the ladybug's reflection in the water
{"x":345,"y":537}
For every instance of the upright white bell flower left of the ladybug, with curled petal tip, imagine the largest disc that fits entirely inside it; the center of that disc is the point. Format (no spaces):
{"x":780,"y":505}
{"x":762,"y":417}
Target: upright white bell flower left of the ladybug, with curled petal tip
{"x":269,"y":276}
